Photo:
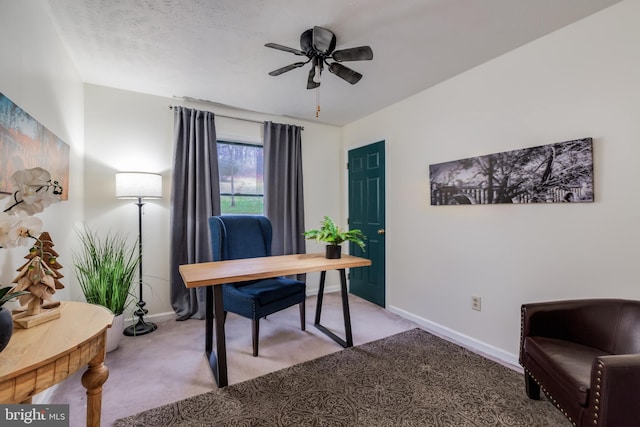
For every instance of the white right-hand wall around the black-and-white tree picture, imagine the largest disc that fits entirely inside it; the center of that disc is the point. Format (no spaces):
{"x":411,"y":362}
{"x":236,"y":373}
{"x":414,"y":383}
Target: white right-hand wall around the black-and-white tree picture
{"x":581,"y":81}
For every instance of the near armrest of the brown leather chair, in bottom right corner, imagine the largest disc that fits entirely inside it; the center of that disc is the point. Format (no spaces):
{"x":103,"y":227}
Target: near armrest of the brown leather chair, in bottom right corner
{"x":615,"y":384}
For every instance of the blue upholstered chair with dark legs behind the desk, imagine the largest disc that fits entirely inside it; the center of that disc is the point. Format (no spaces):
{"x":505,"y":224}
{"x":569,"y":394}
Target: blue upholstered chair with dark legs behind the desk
{"x":249,"y":236}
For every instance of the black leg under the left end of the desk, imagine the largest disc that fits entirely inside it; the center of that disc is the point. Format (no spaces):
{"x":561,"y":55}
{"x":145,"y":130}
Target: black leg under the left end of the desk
{"x":215,"y":310}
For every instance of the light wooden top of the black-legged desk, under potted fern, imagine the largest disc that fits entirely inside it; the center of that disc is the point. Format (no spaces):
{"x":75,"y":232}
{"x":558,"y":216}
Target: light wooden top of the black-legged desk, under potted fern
{"x":239,"y":270}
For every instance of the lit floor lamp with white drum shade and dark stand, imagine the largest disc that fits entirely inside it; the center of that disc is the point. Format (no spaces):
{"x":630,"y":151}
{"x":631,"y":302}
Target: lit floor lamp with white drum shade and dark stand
{"x":139,"y":185}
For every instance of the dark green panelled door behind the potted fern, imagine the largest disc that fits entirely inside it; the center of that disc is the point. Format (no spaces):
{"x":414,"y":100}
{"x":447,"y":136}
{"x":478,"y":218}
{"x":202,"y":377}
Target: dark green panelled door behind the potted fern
{"x":366,"y":213}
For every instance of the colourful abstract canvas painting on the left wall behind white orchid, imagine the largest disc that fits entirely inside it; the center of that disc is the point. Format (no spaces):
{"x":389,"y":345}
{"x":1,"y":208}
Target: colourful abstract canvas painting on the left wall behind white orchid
{"x":26,"y":143}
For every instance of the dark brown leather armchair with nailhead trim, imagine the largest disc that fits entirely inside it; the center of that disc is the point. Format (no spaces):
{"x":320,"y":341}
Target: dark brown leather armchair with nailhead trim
{"x":585,"y":356}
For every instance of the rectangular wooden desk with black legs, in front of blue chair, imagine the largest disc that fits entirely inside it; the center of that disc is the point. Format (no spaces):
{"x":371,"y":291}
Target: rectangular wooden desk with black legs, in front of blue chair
{"x":211,"y":274}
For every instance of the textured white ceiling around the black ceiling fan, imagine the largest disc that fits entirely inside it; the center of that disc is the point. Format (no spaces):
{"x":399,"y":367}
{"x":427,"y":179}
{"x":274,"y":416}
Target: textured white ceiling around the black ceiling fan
{"x":214,"y":49}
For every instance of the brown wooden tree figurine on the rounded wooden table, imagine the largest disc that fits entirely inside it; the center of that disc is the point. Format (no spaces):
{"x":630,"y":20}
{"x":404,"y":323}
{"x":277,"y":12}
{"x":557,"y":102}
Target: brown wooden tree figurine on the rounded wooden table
{"x":40,"y":277}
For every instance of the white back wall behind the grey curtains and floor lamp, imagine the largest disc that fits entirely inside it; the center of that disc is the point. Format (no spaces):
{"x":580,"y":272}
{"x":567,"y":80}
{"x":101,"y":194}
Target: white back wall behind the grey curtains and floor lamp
{"x":132,"y":131}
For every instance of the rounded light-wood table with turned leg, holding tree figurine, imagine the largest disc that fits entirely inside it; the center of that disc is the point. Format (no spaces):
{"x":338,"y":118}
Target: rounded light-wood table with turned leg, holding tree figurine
{"x":39,"y":357}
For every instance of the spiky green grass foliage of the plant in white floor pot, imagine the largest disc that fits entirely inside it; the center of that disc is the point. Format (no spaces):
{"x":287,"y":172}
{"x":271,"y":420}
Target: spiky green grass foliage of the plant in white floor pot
{"x":106,"y":267}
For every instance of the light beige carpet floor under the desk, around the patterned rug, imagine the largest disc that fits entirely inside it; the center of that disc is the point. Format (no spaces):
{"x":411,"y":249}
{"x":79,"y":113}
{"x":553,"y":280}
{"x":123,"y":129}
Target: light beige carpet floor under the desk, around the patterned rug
{"x":169,"y":364}
